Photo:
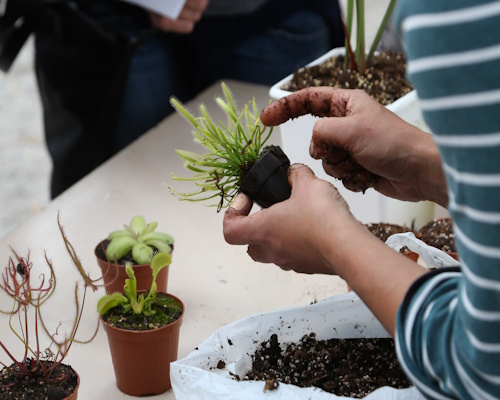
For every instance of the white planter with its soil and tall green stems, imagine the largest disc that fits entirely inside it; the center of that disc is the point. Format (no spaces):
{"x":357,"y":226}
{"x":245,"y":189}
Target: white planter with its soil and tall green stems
{"x":296,"y":134}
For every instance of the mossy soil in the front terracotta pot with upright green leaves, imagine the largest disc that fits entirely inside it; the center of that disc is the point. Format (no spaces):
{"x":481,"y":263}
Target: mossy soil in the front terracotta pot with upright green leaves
{"x":166,"y":311}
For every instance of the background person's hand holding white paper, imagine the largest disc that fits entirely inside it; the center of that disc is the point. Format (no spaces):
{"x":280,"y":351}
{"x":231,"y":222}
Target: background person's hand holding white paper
{"x":189,"y":16}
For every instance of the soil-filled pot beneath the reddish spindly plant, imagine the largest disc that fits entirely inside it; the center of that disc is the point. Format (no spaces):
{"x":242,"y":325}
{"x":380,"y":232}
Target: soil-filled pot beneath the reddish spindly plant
{"x":61,"y":384}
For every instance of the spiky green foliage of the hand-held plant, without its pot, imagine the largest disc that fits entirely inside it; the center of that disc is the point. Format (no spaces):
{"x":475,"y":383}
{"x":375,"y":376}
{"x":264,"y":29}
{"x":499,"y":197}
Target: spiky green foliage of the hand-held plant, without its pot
{"x":233,"y":148}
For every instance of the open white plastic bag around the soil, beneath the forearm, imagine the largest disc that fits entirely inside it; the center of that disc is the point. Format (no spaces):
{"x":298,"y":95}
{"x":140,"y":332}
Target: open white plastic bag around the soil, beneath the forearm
{"x":345,"y":316}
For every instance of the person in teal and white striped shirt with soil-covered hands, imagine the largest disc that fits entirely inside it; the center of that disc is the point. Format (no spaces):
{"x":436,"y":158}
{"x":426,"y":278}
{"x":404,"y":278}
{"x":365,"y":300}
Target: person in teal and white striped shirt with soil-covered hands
{"x":446,"y":323}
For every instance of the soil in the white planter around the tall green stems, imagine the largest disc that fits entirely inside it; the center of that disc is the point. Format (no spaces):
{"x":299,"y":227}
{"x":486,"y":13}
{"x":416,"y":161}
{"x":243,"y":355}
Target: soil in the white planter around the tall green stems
{"x":384,"y":78}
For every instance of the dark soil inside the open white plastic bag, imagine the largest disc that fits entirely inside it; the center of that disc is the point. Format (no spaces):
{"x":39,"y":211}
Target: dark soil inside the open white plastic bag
{"x":345,"y":367}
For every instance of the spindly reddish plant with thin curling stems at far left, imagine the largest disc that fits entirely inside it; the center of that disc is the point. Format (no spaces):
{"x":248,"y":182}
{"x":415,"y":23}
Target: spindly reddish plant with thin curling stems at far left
{"x":26,"y":319}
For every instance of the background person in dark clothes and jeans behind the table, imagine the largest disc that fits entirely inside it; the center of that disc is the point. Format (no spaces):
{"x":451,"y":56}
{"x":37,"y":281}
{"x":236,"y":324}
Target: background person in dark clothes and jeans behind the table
{"x":106,"y":68}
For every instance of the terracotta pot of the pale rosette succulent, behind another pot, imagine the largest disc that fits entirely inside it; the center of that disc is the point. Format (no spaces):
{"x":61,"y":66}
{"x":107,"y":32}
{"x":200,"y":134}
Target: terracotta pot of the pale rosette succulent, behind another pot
{"x":114,"y":276}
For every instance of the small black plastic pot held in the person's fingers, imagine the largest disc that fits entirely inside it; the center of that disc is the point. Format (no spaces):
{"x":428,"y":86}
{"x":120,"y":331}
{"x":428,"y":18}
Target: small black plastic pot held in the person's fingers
{"x":267,"y":181}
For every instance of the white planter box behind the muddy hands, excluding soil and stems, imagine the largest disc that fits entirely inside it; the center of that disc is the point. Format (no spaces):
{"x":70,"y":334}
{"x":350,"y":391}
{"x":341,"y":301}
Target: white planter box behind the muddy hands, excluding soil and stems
{"x":371,"y":206}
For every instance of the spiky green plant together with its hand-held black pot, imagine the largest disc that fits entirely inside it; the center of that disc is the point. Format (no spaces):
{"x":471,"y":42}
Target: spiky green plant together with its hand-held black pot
{"x":231,"y":152}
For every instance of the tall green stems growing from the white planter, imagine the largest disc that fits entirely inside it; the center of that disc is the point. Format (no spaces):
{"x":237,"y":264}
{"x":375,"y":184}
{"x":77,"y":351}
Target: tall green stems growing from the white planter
{"x":358,"y":59}
